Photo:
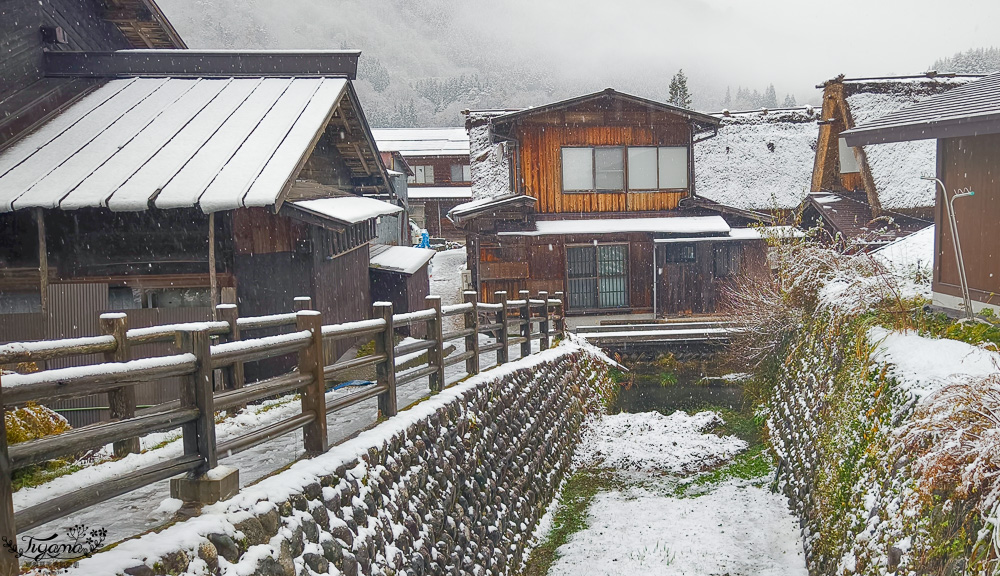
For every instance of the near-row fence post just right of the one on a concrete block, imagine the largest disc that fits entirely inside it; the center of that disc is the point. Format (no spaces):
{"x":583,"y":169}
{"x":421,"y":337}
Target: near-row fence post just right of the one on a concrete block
{"x":314,"y":434}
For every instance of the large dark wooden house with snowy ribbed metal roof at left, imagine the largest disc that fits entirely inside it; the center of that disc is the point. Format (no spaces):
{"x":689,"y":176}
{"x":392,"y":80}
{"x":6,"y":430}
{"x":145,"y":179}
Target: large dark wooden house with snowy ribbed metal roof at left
{"x":161,"y":182}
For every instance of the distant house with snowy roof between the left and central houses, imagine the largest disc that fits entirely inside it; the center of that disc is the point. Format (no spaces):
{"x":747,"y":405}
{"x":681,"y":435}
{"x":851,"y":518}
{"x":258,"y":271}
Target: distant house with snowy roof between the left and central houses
{"x":439,"y":173}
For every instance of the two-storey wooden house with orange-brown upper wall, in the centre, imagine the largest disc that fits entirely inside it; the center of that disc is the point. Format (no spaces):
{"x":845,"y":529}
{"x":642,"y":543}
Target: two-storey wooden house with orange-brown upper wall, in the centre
{"x":594,"y":197}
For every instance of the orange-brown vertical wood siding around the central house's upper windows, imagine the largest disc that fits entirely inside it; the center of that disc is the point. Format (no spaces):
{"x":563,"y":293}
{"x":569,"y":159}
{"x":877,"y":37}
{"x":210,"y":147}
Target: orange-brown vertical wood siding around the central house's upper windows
{"x":540,"y":165}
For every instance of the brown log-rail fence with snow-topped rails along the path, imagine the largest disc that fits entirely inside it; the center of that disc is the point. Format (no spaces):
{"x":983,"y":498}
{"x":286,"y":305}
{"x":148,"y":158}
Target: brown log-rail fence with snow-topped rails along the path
{"x":208,"y":349}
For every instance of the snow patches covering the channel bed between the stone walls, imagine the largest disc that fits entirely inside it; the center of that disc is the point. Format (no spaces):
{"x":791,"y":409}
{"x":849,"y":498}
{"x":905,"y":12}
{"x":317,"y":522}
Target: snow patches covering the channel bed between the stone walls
{"x":736,"y":527}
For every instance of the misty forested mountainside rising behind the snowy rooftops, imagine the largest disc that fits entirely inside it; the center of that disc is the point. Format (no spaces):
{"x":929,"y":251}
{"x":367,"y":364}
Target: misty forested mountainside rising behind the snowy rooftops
{"x":424,"y":62}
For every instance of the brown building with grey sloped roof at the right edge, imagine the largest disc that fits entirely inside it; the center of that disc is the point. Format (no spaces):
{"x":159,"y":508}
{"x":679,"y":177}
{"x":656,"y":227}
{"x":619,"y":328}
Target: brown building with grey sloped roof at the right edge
{"x":963,"y":127}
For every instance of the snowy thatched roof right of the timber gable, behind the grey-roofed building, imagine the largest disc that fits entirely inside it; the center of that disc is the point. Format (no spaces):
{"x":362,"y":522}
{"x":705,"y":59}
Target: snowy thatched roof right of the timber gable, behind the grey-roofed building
{"x":896,"y":168}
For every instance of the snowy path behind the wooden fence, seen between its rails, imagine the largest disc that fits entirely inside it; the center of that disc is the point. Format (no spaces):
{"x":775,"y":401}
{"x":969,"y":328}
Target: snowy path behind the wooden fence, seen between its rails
{"x":151,"y":506}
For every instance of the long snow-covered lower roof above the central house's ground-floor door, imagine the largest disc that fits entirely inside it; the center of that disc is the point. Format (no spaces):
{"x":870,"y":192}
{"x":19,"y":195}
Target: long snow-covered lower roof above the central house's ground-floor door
{"x":669,"y":225}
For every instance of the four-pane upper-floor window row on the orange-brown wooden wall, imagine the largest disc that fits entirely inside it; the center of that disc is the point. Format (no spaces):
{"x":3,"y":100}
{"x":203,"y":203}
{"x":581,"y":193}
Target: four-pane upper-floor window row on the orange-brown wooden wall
{"x":617,"y":168}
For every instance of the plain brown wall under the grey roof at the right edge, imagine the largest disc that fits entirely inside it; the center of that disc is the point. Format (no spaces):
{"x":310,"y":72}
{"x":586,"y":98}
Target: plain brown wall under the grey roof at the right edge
{"x":970,"y":162}
